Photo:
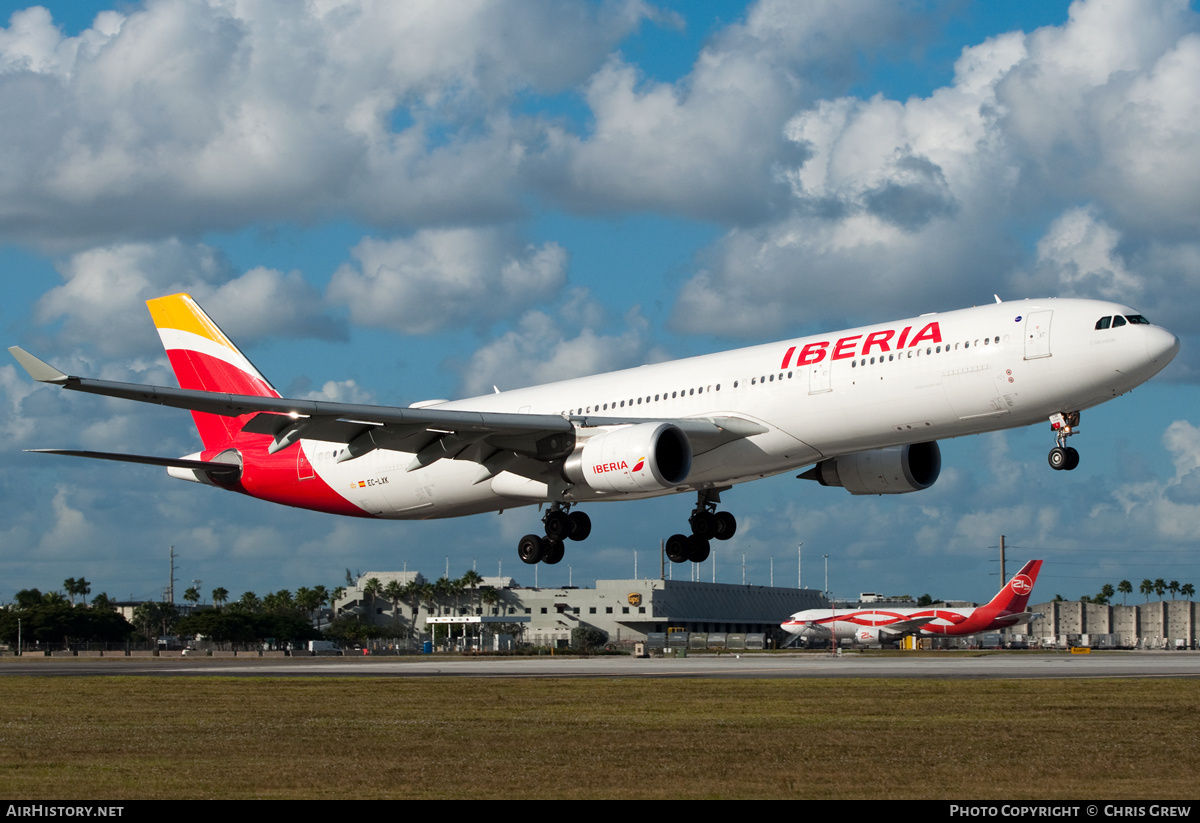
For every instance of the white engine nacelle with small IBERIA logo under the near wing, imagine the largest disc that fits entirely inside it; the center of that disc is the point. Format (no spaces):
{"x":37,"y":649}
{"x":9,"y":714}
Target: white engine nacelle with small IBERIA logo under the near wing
{"x":647,"y":458}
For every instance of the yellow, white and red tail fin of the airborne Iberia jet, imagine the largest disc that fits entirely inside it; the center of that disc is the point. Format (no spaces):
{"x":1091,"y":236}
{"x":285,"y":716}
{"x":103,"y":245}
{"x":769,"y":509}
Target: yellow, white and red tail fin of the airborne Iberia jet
{"x":206,"y":361}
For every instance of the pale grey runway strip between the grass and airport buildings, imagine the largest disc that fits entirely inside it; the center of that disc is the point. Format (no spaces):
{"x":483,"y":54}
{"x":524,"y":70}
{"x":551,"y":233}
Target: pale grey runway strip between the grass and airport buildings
{"x":949,"y":666}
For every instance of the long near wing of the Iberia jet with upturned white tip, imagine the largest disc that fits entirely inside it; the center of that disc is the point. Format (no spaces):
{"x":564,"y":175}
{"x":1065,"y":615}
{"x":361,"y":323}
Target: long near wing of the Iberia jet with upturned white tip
{"x":430,"y":434}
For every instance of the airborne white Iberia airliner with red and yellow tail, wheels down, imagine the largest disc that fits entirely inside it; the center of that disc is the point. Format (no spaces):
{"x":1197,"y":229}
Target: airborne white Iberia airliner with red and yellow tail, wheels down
{"x":863,"y":407}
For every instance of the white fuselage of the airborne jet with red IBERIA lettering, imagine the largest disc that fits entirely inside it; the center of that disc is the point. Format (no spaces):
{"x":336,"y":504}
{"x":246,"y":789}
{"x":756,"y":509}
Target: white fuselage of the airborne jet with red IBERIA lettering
{"x":929,"y":379}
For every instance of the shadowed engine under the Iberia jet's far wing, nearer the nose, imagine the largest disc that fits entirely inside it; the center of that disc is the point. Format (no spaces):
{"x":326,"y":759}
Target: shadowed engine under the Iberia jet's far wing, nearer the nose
{"x":892,"y":471}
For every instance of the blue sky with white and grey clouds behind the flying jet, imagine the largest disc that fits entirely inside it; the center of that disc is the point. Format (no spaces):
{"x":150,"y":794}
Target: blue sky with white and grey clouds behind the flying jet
{"x":395,"y":202}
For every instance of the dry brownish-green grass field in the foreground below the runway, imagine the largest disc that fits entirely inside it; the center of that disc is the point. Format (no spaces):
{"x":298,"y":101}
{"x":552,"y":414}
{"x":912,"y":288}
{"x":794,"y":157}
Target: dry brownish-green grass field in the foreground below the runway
{"x":125,"y":738}
